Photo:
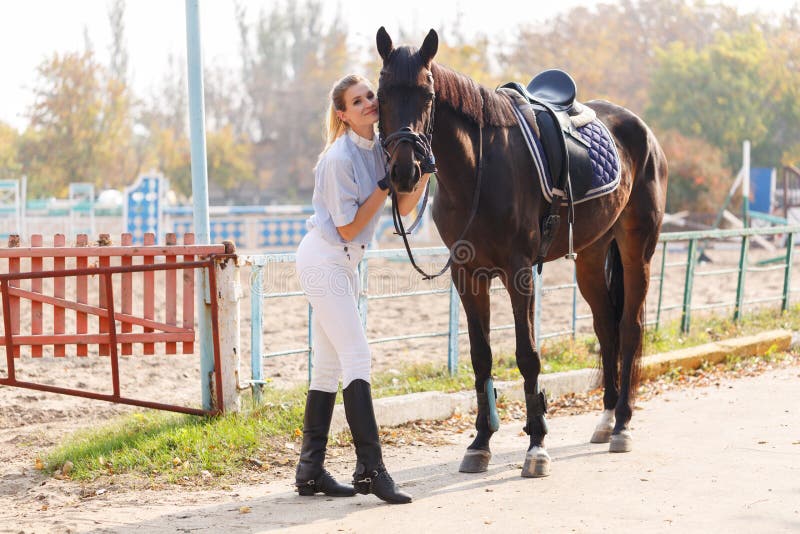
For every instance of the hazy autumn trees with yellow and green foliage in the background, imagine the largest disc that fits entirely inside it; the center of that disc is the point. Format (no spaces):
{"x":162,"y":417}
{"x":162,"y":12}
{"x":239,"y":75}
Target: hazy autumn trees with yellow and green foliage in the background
{"x":703,"y":76}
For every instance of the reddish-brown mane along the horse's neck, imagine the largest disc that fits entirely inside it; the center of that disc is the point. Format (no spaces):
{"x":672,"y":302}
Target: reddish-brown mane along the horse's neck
{"x":463,"y":95}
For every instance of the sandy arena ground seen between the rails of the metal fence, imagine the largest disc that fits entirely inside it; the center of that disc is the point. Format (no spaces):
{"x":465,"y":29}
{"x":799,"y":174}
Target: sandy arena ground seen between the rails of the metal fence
{"x":286,"y":320}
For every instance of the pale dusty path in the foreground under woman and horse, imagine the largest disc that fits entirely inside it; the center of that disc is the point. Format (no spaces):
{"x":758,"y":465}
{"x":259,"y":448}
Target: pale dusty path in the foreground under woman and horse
{"x":693,"y":469}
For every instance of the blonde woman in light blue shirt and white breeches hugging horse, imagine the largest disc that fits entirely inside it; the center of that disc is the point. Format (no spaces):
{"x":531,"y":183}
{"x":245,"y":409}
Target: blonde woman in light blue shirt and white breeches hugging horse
{"x":349,"y":191}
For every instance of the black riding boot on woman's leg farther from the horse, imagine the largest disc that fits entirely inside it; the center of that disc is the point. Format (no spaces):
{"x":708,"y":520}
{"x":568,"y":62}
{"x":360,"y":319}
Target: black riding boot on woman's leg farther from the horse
{"x":311,"y":477}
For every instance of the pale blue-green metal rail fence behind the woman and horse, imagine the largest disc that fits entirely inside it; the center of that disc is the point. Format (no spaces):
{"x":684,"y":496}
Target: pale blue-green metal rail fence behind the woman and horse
{"x":695,"y":238}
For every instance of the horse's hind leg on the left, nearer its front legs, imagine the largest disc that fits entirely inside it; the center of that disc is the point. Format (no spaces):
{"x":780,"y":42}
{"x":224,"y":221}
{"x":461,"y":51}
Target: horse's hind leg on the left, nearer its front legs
{"x":590,"y":268}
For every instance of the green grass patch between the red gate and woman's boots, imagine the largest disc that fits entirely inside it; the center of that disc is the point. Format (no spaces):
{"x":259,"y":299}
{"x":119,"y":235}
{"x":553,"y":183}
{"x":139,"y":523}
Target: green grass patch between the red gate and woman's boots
{"x":167,"y":447}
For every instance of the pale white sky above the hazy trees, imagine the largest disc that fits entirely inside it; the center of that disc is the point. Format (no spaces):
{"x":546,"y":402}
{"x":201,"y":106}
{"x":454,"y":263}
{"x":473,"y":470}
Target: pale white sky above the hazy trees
{"x":31,"y":30}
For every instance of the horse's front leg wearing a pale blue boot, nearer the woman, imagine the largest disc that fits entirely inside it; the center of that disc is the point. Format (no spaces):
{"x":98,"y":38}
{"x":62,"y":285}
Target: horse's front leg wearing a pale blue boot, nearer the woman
{"x":473,"y":287}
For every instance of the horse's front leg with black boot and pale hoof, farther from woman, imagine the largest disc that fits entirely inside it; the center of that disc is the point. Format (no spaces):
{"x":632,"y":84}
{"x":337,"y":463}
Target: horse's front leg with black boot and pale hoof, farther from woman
{"x":520,"y":288}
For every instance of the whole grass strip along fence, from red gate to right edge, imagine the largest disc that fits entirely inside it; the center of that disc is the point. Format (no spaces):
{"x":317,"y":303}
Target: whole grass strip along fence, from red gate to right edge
{"x":162,"y":447}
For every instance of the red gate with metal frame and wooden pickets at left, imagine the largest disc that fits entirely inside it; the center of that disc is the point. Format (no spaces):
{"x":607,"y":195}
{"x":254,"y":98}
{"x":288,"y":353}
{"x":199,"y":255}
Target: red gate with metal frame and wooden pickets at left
{"x":108,"y":339}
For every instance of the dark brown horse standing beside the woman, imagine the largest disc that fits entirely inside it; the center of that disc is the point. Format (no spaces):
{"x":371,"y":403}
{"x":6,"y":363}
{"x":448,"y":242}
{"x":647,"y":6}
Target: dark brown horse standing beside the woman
{"x":614,"y":235}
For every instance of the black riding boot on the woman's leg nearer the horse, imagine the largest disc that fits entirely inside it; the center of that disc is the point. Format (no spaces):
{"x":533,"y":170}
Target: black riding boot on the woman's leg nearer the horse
{"x":370,"y":475}
